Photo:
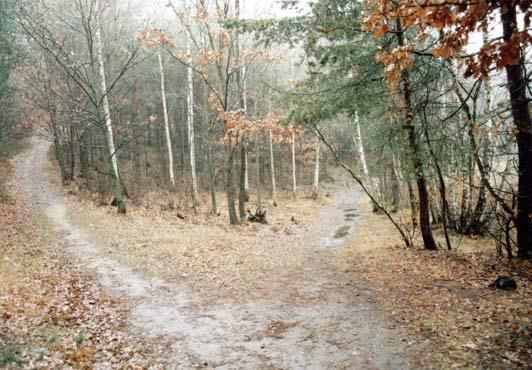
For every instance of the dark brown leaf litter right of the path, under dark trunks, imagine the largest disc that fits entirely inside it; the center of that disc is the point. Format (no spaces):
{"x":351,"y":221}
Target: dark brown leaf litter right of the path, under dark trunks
{"x":444,"y":298}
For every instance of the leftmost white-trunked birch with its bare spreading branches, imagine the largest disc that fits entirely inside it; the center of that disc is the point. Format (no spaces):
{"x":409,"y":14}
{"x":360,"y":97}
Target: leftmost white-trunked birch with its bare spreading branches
{"x":85,"y":91}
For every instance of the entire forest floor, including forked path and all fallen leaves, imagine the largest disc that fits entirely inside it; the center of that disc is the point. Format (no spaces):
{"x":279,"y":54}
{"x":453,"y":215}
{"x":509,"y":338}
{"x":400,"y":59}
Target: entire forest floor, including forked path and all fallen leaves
{"x":331,"y":289}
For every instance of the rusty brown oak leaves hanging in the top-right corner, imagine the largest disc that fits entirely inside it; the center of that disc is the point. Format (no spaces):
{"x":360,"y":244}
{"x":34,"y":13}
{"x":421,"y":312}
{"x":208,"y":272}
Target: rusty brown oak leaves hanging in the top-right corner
{"x":454,"y":21}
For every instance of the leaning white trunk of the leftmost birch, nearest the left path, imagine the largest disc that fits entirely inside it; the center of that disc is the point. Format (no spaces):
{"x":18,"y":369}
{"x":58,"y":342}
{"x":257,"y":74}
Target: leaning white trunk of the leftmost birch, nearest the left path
{"x":108,"y":128}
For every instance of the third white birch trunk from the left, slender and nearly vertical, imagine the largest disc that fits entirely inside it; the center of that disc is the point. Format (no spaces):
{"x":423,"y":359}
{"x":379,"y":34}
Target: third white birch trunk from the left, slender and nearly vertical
{"x":190,"y":123}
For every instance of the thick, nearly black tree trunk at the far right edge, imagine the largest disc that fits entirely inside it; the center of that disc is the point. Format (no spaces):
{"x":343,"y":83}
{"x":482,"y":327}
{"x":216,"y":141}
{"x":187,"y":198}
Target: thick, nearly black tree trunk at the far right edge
{"x":523,"y":126}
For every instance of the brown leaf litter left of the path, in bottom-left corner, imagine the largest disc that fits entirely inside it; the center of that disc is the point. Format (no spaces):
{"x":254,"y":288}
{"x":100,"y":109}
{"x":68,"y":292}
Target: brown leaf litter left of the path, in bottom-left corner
{"x":51,"y":315}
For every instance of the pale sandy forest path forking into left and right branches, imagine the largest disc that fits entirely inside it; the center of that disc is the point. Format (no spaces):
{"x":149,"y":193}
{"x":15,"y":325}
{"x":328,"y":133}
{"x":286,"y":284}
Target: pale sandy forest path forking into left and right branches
{"x":327,"y":323}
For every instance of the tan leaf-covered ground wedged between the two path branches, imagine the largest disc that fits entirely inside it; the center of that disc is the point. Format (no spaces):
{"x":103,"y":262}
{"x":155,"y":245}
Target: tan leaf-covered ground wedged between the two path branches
{"x":202,"y":248}
